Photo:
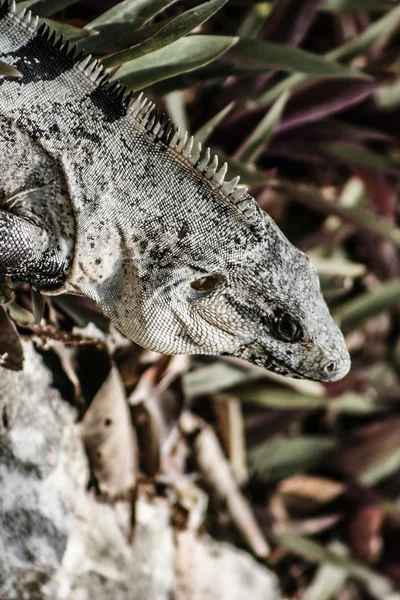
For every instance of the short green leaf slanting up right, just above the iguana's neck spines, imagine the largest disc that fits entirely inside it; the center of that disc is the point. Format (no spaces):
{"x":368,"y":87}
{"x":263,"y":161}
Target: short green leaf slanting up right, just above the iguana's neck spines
{"x":259,"y":139}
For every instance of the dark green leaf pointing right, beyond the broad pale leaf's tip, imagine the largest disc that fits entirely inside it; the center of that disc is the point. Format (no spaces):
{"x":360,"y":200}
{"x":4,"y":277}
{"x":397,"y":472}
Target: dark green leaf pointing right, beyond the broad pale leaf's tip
{"x":256,"y":54}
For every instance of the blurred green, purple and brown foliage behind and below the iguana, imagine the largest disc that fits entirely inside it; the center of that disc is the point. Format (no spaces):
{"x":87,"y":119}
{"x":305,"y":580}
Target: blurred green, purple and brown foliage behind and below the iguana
{"x":303,"y":101}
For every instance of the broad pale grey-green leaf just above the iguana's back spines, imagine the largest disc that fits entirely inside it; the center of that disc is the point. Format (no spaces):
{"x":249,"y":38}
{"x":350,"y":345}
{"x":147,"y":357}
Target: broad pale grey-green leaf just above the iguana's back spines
{"x":186,"y":54}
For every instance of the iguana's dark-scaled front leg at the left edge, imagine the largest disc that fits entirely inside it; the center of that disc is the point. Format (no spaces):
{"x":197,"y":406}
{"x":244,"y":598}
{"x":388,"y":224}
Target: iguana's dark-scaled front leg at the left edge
{"x":31,"y":254}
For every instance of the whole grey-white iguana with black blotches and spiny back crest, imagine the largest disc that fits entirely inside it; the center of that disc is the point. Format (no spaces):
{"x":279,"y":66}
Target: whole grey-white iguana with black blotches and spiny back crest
{"x":102,"y":197}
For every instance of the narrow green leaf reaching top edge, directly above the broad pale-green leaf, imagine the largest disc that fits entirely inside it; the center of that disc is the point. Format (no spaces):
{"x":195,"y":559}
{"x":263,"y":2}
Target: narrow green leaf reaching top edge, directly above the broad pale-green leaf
{"x":173,"y":30}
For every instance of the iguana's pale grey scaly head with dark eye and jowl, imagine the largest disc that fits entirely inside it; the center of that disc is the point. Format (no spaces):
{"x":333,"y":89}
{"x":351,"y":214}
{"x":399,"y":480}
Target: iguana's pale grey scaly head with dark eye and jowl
{"x":242,"y":290}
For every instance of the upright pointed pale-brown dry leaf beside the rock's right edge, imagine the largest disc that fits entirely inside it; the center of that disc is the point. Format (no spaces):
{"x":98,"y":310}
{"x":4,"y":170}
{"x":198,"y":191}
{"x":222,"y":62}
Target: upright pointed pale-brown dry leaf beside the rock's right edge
{"x":110,"y":439}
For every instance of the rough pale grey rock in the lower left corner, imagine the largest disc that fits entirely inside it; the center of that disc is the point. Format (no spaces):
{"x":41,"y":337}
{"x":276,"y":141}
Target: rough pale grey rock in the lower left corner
{"x":57,"y":542}
